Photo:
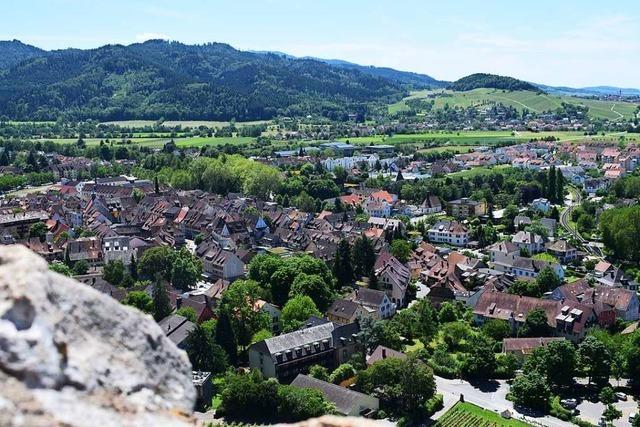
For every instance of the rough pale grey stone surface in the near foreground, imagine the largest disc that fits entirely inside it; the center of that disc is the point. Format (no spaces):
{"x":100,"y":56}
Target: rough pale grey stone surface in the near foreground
{"x":71,"y":356}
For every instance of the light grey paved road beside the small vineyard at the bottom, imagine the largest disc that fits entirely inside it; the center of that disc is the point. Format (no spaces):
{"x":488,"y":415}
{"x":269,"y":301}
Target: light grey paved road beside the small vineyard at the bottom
{"x":491,"y":396}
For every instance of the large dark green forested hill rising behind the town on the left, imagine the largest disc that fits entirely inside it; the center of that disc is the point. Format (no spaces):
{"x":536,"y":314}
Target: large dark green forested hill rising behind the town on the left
{"x":159,"y":79}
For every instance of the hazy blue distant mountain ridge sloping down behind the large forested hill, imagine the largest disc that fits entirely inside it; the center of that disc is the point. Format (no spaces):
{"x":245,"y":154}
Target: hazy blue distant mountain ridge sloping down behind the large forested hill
{"x":416,"y":80}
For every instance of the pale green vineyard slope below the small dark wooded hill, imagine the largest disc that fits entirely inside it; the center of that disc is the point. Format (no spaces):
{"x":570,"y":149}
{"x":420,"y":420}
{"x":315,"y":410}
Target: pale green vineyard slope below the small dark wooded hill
{"x":533,"y":101}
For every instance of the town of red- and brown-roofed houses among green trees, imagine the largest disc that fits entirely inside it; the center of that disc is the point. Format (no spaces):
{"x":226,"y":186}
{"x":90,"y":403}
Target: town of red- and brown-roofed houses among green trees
{"x":362,"y":280}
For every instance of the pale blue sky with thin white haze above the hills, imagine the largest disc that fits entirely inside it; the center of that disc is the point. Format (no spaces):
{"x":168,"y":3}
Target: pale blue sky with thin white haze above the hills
{"x":574,"y":43}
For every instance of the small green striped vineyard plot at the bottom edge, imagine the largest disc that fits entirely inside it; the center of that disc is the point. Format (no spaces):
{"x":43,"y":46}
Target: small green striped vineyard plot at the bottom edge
{"x":465,"y":414}
